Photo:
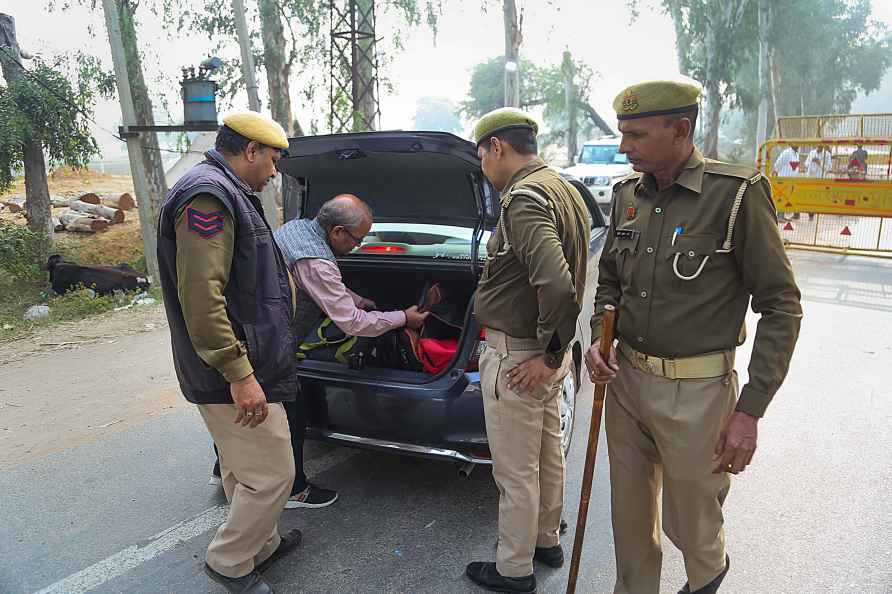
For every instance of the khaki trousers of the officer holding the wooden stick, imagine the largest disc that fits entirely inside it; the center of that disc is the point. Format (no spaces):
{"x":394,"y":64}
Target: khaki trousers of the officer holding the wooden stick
{"x":662,"y":433}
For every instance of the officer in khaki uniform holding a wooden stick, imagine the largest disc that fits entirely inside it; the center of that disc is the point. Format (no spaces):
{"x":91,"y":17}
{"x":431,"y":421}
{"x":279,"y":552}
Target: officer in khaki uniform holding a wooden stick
{"x":692,"y":242}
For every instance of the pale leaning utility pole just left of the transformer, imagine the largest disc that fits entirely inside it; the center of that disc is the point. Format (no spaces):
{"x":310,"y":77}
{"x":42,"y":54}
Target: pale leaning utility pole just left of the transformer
{"x":134,"y":144}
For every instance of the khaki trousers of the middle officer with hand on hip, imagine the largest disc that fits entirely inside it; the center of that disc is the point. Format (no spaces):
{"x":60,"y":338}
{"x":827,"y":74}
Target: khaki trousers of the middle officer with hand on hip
{"x":524,"y":433}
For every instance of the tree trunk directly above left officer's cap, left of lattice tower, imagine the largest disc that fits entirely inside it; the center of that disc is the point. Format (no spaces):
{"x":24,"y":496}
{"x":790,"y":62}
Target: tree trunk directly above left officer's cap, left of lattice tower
{"x":278,"y":67}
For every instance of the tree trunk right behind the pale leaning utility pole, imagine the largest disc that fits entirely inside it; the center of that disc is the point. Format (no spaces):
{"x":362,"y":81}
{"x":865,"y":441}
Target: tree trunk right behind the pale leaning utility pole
{"x":142,"y":105}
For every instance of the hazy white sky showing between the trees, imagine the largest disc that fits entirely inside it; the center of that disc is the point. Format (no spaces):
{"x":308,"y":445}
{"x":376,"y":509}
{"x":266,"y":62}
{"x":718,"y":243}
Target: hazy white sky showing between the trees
{"x":596,"y":31}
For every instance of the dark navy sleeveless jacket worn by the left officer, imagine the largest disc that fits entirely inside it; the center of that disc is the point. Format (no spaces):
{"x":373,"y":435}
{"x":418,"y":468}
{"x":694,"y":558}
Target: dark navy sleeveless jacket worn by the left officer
{"x":258,"y":294}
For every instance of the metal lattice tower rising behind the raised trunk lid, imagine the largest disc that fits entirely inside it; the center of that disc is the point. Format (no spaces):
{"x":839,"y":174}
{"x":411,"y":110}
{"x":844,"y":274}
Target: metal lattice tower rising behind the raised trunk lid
{"x":353,"y":94}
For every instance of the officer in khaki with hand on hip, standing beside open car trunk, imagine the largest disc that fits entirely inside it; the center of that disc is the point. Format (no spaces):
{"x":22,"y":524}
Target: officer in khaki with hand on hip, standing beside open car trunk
{"x":528,"y":299}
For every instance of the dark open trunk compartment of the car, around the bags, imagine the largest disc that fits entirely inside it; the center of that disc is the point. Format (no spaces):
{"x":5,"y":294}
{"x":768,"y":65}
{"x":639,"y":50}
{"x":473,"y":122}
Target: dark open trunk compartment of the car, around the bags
{"x":398,"y":284}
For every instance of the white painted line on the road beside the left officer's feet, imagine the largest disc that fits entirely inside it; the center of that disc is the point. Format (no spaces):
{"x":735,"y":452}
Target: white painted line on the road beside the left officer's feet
{"x":138,"y":554}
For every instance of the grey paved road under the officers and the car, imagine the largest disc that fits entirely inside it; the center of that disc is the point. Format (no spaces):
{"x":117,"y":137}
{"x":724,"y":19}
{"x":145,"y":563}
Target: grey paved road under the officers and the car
{"x":132,"y":512}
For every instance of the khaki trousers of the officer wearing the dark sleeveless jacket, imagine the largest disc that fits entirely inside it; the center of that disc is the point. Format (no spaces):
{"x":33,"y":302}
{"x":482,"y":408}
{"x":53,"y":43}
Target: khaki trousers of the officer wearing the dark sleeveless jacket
{"x":257,"y":468}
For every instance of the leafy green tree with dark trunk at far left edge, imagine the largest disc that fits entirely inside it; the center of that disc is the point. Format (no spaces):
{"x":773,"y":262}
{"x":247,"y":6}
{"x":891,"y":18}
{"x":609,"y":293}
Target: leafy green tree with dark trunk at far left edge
{"x":44,"y":113}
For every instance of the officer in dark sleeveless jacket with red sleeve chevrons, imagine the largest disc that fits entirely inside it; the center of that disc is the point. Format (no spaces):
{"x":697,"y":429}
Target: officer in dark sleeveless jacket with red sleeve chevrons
{"x":230,"y":304}
